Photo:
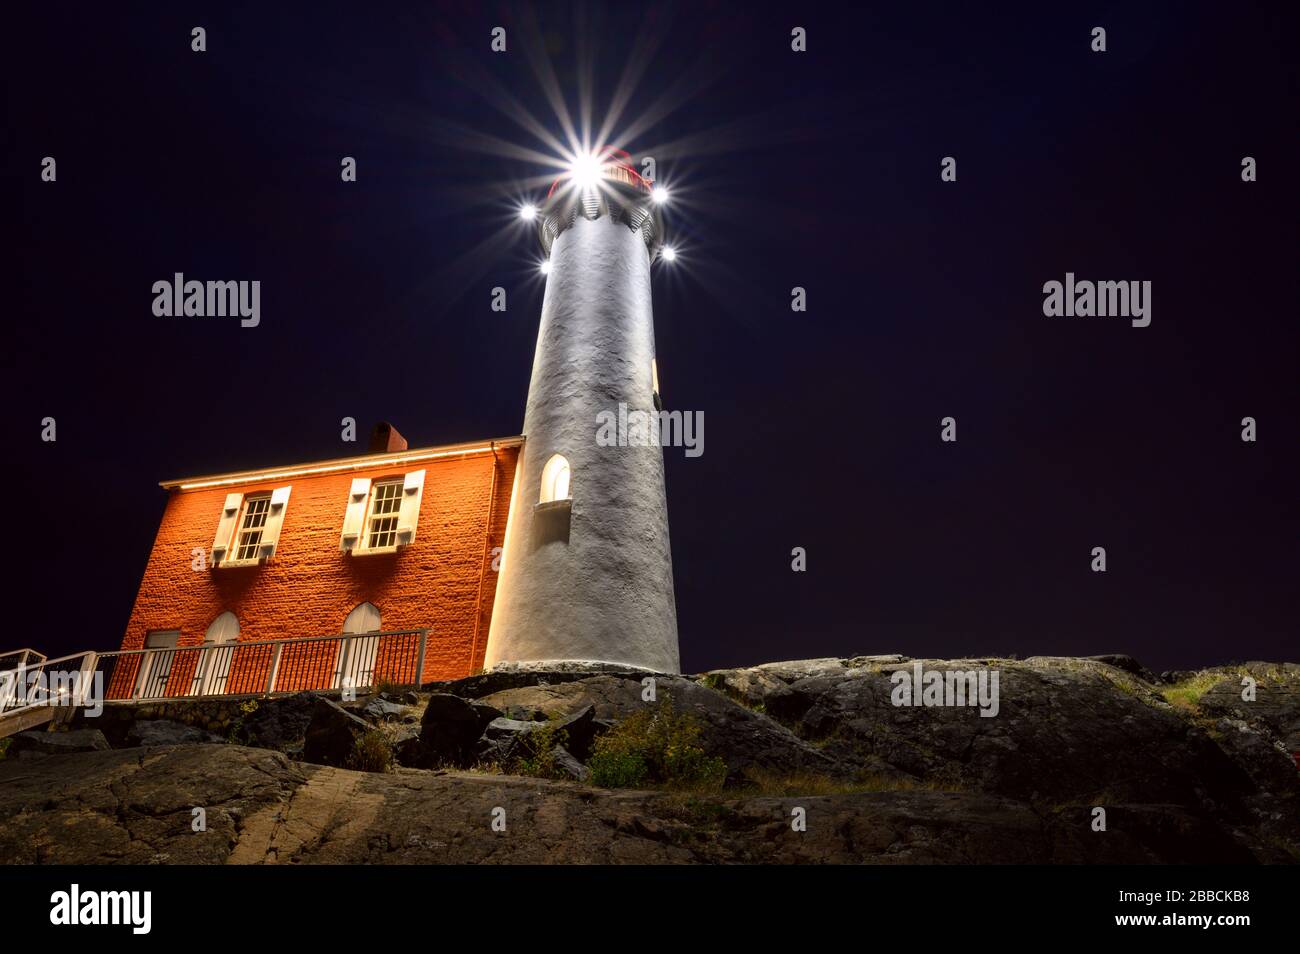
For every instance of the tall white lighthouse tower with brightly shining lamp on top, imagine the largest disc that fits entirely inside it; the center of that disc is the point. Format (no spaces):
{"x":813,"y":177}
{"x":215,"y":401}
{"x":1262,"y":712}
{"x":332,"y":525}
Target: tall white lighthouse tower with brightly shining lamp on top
{"x":587,"y":571}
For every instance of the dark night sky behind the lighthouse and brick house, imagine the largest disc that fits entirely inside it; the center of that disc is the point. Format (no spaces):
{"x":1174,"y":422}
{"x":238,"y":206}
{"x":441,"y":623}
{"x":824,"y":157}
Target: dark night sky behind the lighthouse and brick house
{"x":817,"y":170}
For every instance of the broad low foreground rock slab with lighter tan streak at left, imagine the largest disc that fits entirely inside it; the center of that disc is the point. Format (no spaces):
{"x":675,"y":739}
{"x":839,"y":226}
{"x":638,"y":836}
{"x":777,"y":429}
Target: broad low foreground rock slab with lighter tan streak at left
{"x":115,"y":808}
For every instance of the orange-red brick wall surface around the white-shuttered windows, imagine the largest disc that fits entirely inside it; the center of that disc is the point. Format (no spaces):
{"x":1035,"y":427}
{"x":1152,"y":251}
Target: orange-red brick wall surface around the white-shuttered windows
{"x":443,"y":582}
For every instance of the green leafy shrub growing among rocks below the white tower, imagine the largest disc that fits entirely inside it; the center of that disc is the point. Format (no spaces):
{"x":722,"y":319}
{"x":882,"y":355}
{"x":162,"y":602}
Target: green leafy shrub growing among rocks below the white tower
{"x":656,"y":747}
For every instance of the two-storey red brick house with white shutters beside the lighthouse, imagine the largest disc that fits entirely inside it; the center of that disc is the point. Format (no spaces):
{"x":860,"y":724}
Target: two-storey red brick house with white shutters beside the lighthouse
{"x":397,"y":540}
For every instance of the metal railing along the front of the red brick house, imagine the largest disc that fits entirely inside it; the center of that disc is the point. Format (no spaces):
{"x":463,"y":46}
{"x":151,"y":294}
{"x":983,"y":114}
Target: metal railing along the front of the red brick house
{"x":357,"y":661}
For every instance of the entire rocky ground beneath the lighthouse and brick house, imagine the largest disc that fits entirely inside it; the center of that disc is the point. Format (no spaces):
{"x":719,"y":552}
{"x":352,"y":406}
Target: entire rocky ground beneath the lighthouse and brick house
{"x":1185,"y":769}
